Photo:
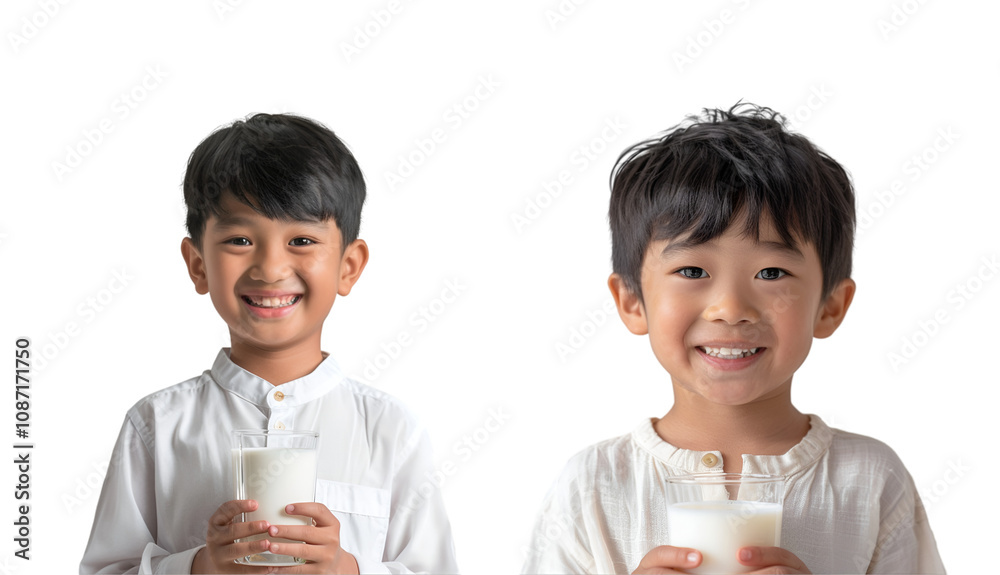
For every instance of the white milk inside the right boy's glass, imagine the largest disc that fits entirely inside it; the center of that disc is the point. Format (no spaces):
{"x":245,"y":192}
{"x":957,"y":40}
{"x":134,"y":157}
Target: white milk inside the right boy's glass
{"x":719,"y":528}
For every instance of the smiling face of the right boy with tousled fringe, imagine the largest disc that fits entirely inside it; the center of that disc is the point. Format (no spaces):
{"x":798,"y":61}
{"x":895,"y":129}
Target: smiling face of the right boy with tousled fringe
{"x":732,"y":319}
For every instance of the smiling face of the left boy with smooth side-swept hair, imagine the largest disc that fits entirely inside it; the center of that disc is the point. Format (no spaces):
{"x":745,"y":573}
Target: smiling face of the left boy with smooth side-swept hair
{"x":272,"y":281}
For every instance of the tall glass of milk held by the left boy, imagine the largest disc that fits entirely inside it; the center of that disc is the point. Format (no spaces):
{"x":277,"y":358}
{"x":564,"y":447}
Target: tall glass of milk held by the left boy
{"x":274,"y":468}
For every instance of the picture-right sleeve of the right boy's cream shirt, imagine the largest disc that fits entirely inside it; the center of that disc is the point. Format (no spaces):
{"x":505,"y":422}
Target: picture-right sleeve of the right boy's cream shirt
{"x":905,"y":541}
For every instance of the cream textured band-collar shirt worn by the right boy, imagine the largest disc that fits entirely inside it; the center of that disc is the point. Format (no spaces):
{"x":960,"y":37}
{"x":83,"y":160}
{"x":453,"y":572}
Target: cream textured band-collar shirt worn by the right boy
{"x":850,"y":505}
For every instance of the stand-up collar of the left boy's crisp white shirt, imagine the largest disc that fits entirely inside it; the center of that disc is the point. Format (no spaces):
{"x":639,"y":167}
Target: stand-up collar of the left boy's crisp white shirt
{"x":262,"y":393}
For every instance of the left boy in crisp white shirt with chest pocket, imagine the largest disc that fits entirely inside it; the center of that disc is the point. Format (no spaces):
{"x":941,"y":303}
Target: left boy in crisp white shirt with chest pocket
{"x":274,"y":207}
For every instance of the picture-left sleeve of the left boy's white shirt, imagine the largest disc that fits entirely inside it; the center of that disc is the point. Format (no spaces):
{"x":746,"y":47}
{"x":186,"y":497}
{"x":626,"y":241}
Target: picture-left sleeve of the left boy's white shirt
{"x":123,"y":538}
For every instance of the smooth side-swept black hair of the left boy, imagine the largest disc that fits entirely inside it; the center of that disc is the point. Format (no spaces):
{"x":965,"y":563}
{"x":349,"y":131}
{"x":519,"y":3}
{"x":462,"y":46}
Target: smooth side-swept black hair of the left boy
{"x":283,"y":166}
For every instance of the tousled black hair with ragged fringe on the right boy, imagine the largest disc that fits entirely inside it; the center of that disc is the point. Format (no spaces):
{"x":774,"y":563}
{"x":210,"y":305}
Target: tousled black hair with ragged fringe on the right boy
{"x":699,"y":176}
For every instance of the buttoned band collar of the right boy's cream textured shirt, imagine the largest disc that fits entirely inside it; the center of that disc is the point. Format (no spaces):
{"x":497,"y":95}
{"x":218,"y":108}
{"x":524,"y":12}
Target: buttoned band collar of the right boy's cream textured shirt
{"x":815,"y":443}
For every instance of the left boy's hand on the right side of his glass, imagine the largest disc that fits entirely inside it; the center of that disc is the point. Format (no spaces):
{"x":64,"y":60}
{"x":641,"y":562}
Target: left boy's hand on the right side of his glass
{"x":321,"y":547}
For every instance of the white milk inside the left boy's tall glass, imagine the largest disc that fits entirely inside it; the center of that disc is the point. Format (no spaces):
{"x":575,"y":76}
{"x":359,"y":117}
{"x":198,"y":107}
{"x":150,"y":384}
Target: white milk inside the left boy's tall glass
{"x":275,"y":477}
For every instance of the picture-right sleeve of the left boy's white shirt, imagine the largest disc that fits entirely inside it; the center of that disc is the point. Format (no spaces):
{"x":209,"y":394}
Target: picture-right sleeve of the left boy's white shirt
{"x":418,"y":538}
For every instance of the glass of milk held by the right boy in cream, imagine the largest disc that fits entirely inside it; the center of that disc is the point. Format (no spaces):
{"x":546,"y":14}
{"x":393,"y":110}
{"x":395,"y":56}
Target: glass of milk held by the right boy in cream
{"x":717,"y":513}
